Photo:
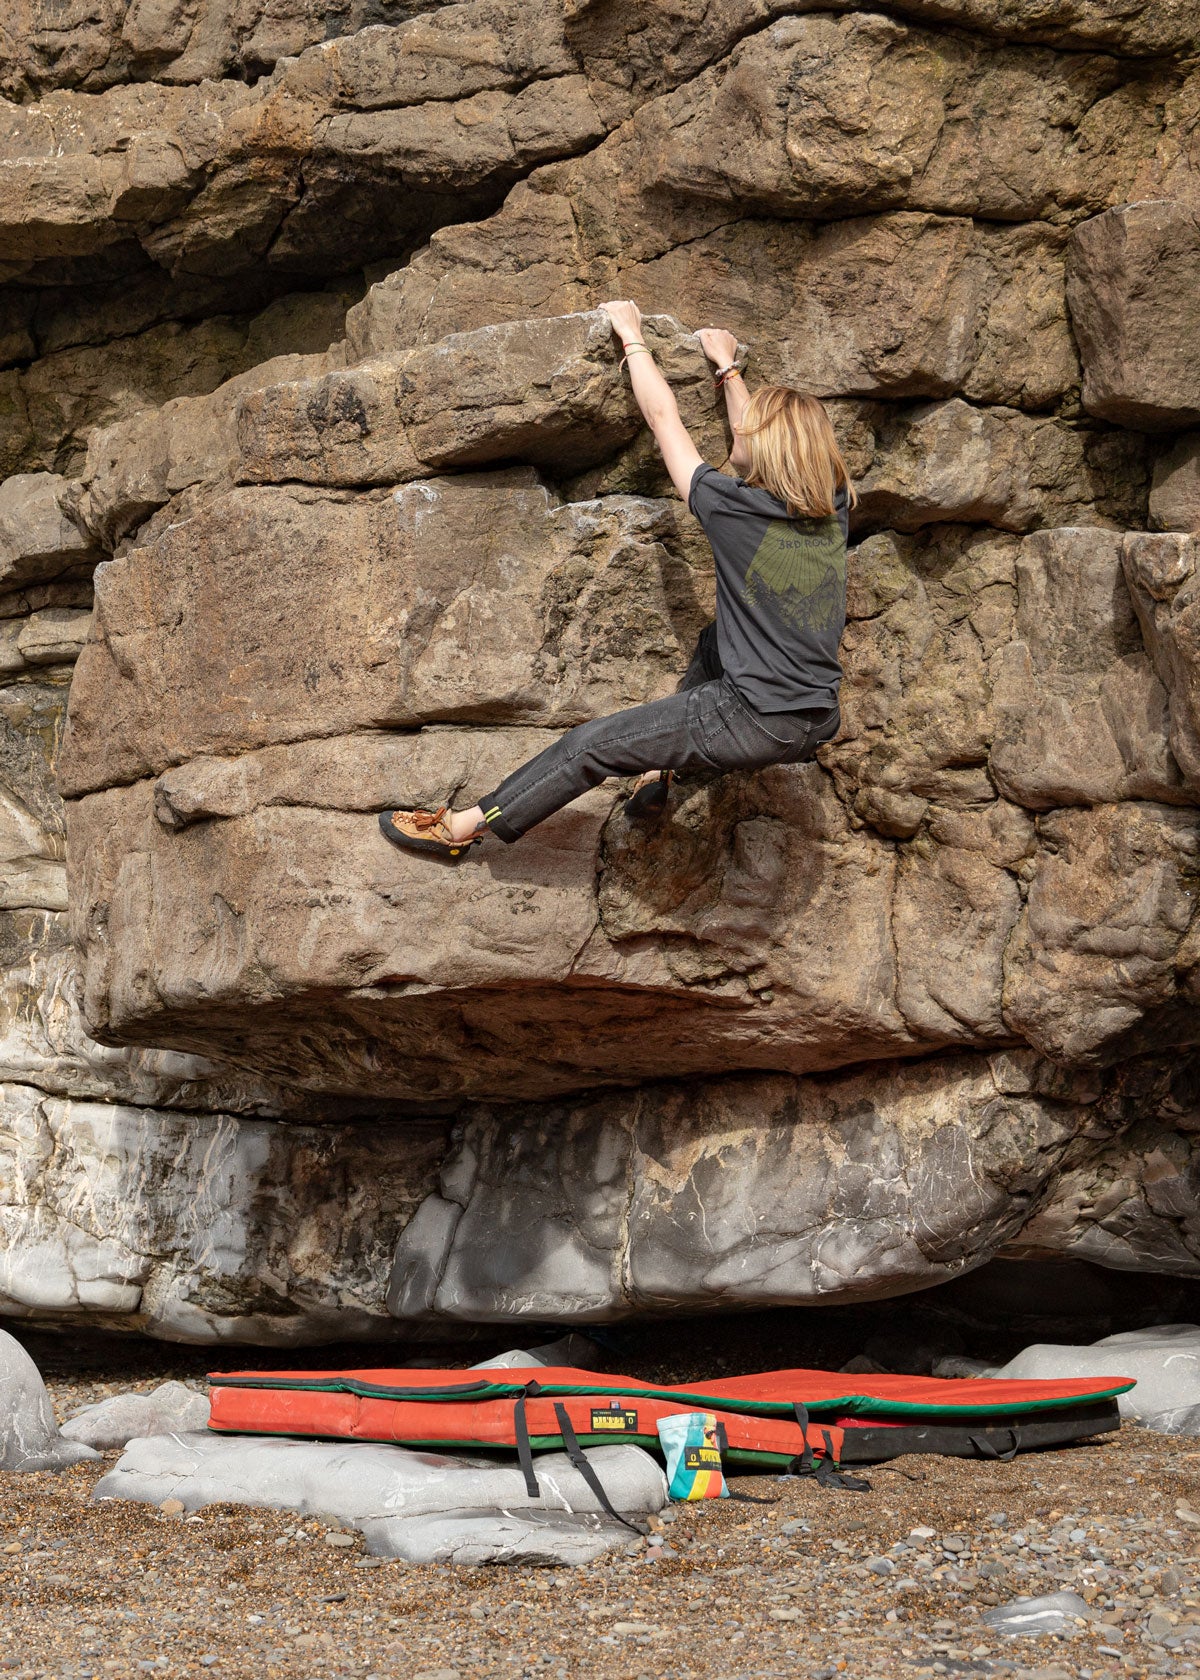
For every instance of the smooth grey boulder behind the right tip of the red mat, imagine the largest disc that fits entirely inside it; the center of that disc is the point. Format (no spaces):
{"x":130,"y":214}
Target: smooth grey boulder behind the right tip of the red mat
{"x":1164,"y":1360}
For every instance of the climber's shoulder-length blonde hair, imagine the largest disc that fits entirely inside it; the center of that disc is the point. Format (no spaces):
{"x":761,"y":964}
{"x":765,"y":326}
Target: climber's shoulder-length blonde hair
{"x":792,"y":451}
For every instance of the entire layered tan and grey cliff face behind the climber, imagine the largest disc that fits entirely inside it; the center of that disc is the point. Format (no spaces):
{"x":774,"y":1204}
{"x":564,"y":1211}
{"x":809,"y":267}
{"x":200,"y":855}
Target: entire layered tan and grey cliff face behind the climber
{"x":290,"y":540}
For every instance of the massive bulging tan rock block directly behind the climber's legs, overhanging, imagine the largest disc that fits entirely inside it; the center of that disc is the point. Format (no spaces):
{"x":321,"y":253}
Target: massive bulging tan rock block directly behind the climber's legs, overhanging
{"x":771,"y":923}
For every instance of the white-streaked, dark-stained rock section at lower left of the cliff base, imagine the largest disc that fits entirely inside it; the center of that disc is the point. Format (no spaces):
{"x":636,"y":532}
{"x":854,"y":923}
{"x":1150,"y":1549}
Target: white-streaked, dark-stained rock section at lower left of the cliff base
{"x":203,"y":1227}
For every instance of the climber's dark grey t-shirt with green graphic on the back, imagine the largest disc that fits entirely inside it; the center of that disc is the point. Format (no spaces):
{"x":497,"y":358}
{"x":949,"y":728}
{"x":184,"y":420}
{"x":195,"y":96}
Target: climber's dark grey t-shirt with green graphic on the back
{"x":781,"y":592}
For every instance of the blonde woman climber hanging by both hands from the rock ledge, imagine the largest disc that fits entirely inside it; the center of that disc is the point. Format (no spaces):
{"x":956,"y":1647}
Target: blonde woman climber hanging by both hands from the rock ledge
{"x":762,"y":685}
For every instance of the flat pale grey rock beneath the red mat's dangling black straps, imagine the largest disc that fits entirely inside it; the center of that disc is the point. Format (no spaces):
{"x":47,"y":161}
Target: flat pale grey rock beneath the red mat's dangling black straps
{"x":384,"y":1489}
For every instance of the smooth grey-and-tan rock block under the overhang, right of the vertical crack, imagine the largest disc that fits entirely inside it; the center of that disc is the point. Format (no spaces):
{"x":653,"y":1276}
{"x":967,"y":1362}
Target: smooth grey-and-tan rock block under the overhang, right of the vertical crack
{"x":755,"y":1190}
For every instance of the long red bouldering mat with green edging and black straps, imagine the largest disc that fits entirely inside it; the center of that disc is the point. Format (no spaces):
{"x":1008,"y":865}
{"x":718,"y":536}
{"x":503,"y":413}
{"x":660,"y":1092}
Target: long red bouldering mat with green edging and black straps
{"x":771,"y":1419}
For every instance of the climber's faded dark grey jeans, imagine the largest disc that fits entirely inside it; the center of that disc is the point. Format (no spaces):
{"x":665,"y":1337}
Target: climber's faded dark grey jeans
{"x":705,"y":727}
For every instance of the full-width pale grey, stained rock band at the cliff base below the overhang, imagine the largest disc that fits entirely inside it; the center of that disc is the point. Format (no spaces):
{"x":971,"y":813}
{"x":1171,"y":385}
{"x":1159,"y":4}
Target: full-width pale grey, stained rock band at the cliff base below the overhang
{"x":740,"y":1192}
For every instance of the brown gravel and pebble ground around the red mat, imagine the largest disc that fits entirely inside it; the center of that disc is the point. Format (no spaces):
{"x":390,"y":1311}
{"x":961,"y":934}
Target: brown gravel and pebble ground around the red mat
{"x":818,"y":1583}
